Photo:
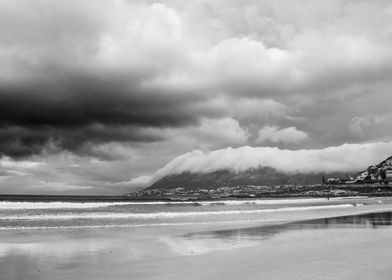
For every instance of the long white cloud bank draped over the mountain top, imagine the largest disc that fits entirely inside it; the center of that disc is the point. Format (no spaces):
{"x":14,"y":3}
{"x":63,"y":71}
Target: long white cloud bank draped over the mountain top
{"x":343,"y":158}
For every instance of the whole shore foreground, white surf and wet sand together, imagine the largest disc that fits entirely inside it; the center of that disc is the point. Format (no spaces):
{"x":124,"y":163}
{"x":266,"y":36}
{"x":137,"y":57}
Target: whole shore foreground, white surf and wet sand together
{"x":262,"y":239}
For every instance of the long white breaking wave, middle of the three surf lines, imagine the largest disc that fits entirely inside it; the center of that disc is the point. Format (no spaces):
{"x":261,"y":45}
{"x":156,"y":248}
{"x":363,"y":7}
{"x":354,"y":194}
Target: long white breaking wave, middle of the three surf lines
{"x":158,"y":215}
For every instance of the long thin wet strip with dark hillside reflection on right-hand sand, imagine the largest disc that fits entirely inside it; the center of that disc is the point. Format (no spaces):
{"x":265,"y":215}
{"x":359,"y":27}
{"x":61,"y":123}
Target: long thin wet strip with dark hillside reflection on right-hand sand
{"x":373,"y":220}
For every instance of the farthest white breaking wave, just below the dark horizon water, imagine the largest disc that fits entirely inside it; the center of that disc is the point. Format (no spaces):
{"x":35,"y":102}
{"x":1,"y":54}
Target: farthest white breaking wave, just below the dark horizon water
{"x":85,"y":205}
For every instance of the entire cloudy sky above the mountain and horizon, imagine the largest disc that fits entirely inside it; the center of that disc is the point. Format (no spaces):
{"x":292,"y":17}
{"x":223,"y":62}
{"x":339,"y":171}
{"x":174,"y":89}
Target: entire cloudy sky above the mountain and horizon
{"x":104,"y":97}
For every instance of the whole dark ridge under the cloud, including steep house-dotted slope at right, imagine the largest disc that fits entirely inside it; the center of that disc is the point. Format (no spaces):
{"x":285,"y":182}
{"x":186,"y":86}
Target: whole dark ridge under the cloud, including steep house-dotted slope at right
{"x":267,"y":176}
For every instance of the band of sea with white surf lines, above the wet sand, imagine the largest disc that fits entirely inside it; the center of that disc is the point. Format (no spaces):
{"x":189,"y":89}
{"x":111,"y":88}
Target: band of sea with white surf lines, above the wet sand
{"x":33,"y":215}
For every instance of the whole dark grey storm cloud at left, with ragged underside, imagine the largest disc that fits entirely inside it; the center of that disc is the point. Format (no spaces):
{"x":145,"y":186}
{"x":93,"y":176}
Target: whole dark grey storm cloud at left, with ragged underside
{"x":84,"y":110}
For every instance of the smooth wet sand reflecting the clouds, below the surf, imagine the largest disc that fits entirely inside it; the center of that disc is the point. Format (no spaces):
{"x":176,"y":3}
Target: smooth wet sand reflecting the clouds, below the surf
{"x":347,"y":247}
